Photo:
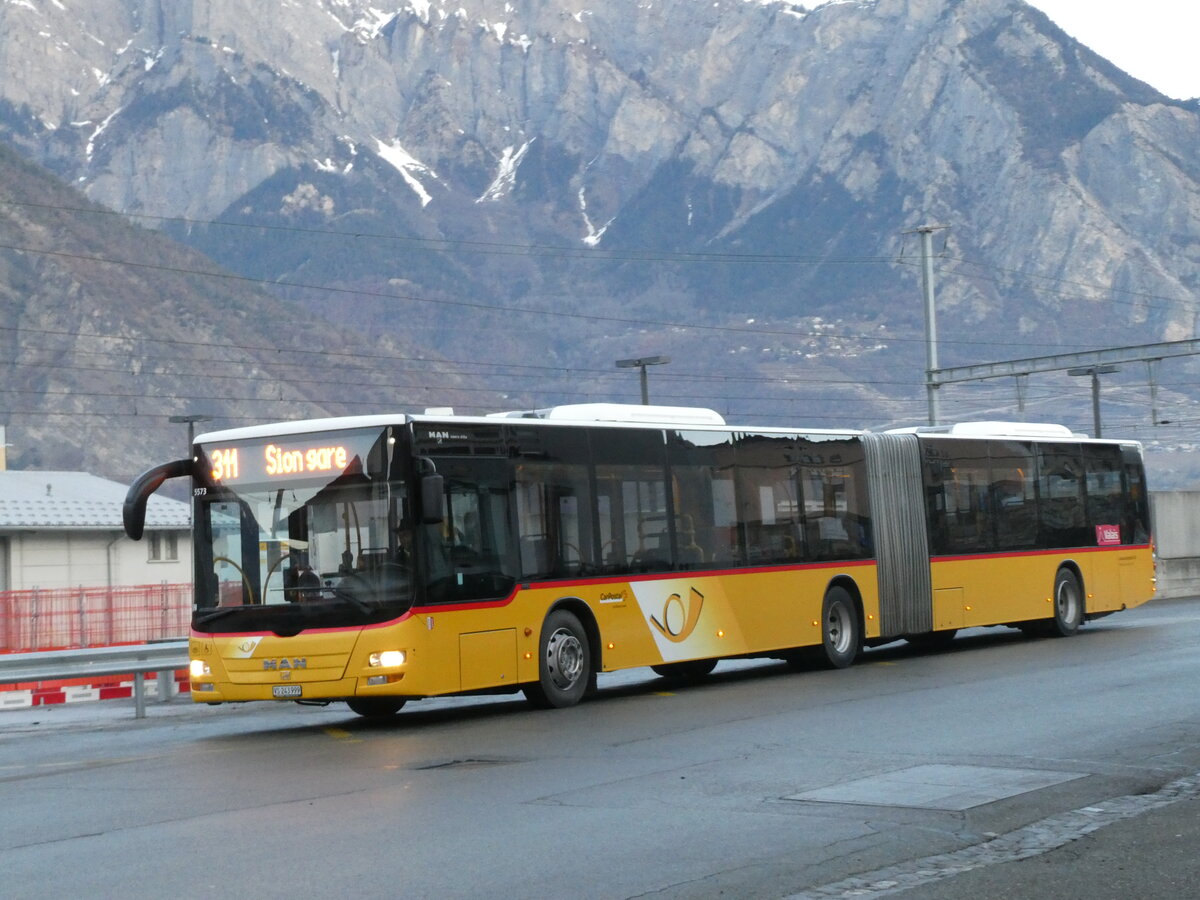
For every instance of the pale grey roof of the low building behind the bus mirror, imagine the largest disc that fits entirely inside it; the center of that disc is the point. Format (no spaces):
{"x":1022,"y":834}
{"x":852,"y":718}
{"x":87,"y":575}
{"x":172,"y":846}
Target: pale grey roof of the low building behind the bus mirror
{"x":73,"y":501}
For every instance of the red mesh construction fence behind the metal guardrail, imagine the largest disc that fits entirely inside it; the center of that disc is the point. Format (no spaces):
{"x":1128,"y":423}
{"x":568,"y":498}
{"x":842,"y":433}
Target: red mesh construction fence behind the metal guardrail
{"x":64,"y":619}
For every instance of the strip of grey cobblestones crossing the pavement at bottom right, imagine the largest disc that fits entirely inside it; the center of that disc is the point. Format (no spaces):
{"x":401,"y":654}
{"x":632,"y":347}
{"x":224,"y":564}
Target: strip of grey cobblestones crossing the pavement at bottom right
{"x":1033,"y":841}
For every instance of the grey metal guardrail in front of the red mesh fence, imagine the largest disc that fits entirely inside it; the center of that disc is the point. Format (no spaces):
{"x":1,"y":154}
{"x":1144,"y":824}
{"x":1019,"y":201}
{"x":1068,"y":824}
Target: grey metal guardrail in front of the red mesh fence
{"x":136,"y":661}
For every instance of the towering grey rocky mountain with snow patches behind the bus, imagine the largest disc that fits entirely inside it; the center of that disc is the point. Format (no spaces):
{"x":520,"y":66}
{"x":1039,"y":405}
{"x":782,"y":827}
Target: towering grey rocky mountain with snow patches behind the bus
{"x":536,"y":189}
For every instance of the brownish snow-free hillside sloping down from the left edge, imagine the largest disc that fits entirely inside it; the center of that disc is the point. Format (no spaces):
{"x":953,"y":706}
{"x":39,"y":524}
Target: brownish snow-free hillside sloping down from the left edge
{"x":109,"y":331}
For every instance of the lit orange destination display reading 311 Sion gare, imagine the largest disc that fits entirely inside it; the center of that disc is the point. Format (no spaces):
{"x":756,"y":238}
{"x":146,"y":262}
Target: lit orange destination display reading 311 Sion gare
{"x":272,"y":459}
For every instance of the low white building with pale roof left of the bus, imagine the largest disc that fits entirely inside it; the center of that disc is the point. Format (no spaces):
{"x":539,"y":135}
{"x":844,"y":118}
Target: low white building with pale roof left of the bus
{"x":63,"y":530}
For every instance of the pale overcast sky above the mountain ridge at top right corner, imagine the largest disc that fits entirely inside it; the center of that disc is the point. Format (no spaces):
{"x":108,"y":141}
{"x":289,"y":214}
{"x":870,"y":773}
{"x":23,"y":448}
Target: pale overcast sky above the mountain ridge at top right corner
{"x":1153,"y":40}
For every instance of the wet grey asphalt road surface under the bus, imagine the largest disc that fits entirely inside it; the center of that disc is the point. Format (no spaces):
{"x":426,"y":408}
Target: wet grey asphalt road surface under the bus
{"x":1001,"y":767}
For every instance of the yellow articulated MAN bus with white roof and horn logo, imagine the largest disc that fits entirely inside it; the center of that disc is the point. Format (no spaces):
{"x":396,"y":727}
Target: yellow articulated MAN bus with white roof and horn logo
{"x":380,"y":560}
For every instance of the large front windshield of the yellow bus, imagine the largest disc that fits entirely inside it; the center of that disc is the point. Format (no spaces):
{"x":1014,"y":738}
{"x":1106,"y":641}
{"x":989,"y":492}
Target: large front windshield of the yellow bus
{"x":303,"y":551}
